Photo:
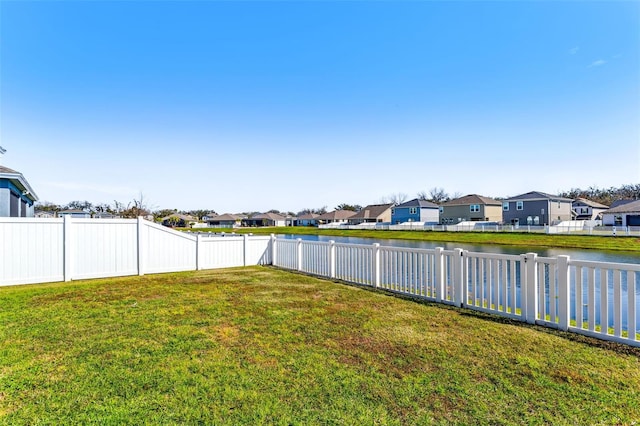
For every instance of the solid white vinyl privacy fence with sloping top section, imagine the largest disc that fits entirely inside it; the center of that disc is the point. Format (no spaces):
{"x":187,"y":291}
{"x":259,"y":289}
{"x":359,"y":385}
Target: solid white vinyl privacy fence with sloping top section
{"x":46,"y":250}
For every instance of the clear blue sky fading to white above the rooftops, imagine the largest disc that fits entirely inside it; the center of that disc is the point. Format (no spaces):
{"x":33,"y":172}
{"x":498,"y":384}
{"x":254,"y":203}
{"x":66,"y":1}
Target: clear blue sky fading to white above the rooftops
{"x":243,"y":106}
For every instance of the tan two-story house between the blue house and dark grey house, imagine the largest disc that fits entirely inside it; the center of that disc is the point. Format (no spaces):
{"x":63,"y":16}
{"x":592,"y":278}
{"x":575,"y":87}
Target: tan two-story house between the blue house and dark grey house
{"x":473,"y":207}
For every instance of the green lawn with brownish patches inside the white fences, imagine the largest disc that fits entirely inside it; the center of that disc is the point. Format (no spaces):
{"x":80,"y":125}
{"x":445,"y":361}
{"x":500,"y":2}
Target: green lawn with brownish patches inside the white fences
{"x":259,"y":345}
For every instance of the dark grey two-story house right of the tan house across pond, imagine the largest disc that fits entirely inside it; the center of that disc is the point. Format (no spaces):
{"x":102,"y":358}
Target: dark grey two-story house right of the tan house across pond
{"x":536,"y":208}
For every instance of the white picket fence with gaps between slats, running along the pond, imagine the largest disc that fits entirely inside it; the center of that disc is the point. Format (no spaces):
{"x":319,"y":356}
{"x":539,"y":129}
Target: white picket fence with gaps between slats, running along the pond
{"x":598,"y":299}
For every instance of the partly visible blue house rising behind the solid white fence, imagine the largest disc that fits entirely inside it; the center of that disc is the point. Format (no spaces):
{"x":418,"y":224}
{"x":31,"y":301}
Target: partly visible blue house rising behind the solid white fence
{"x":16,"y":195}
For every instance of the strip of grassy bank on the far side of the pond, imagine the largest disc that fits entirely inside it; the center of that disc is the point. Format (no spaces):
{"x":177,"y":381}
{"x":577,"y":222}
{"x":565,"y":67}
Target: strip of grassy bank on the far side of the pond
{"x":588,"y":242}
